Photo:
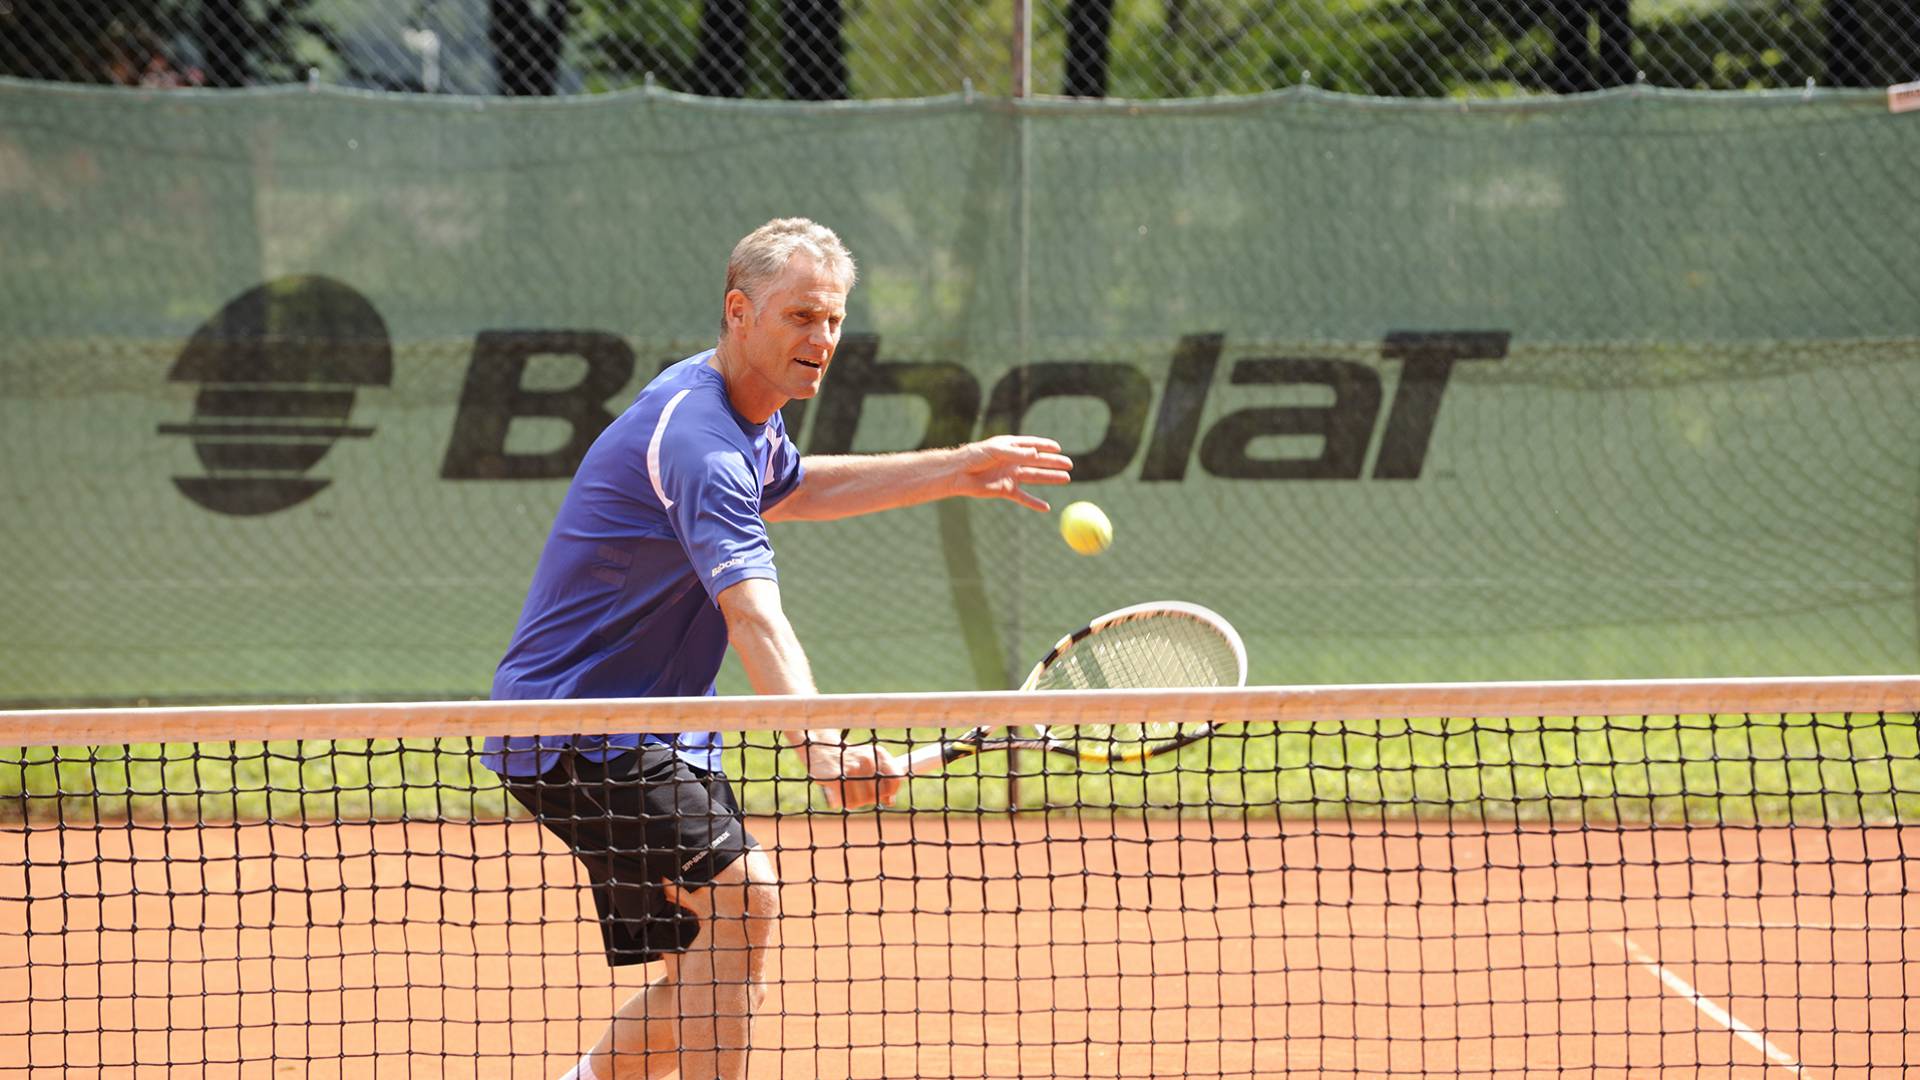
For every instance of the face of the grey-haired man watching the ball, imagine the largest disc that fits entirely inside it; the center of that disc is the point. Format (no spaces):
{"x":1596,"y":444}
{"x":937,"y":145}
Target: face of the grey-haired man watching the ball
{"x":788,"y":339}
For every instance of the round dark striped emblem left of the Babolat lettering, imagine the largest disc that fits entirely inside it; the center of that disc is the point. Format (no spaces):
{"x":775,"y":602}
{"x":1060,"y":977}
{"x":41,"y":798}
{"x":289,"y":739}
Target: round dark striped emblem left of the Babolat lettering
{"x":277,"y":372}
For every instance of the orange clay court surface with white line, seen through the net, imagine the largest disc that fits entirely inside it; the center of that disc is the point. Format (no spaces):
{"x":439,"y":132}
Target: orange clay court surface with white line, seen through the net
{"x":959,"y":946}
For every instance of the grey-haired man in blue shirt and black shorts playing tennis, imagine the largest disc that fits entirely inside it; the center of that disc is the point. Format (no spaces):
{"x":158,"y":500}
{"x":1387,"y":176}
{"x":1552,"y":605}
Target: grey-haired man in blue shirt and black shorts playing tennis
{"x":660,"y":560}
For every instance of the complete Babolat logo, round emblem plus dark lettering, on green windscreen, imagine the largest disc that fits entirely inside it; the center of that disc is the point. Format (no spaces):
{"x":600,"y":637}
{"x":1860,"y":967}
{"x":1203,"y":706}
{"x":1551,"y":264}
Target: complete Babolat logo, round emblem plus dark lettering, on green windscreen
{"x":279,"y":368}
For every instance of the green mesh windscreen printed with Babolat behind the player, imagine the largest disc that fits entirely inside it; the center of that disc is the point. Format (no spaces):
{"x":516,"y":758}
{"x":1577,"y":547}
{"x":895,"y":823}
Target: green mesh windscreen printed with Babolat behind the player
{"x":291,"y":383}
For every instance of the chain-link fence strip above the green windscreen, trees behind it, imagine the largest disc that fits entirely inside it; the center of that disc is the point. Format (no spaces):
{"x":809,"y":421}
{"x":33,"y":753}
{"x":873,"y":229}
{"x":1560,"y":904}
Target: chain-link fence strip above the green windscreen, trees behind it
{"x":911,"y":49}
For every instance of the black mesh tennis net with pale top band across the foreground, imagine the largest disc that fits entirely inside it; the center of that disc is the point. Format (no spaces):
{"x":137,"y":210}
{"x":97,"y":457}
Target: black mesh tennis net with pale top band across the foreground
{"x":1604,"y":879}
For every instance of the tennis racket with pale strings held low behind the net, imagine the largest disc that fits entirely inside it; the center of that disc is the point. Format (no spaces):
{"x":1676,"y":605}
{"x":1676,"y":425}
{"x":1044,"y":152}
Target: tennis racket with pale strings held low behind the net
{"x":1149,"y":647}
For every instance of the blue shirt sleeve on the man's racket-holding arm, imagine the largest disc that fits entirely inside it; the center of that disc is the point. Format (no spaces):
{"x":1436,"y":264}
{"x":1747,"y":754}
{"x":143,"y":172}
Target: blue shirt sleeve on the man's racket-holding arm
{"x":715,"y":506}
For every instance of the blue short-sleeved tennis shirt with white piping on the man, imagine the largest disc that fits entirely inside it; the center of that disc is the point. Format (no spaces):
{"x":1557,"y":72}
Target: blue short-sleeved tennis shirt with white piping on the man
{"x":661,"y":518}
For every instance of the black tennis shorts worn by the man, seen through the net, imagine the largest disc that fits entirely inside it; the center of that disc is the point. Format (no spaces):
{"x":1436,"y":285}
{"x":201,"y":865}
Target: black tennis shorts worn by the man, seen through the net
{"x":638,"y":822}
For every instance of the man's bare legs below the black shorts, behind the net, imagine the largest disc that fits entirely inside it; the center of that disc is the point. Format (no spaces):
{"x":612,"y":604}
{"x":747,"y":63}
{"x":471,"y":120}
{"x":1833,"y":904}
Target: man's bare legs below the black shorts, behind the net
{"x":696,"y":1018}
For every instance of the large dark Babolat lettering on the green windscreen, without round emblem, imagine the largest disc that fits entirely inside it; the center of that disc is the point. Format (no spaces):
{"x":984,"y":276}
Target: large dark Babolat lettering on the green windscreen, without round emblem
{"x":1253,"y":443}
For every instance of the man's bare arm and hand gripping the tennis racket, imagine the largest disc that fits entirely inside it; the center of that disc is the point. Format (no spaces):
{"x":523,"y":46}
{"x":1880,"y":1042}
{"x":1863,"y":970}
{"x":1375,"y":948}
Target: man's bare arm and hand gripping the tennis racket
{"x":775,"y":662}
